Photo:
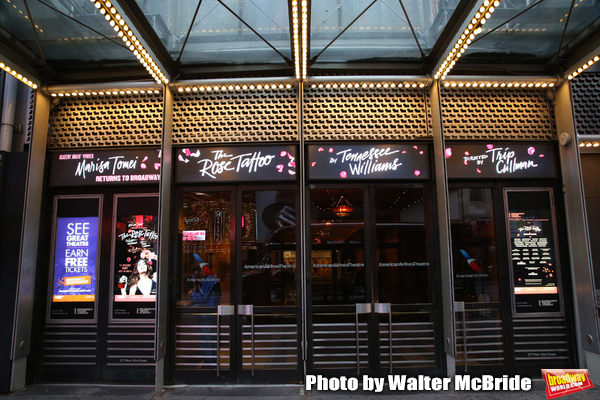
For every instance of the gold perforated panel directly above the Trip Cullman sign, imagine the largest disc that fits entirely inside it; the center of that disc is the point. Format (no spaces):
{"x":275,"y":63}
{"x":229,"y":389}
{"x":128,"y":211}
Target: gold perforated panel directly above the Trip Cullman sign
{"x":502,"y":114}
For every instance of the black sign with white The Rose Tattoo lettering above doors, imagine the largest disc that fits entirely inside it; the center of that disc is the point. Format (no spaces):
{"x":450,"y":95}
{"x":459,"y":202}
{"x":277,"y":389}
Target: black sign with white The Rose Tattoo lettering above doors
{"x":226,"y":164}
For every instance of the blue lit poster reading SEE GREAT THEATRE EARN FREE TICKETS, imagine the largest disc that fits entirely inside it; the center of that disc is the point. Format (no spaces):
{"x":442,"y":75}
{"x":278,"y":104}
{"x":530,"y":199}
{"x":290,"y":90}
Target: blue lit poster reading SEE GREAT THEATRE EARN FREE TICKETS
{"x":74,"y":285}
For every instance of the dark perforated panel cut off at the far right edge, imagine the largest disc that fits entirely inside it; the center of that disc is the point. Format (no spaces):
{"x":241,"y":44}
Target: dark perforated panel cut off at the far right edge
{"x":586,"y":103}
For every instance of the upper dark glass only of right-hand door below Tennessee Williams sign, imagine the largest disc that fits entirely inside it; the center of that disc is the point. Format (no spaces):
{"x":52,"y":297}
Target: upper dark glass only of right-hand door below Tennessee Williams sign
{"x":403,"y":260}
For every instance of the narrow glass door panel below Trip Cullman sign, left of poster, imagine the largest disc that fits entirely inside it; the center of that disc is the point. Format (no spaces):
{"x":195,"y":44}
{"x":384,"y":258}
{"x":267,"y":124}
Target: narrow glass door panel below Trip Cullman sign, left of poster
{"x":479,"y":330}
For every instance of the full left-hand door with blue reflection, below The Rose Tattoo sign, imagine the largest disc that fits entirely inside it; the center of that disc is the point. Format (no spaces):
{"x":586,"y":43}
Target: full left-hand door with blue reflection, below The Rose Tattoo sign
{"x":202,"y":327}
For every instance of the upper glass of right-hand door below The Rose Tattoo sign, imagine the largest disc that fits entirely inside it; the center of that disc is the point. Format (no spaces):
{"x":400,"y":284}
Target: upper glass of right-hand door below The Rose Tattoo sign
{"x":268,"y":226}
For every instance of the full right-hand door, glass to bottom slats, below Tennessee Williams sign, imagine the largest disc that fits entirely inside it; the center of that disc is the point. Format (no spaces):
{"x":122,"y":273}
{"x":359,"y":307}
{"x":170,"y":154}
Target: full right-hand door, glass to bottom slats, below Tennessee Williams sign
{"x":404,"y":299}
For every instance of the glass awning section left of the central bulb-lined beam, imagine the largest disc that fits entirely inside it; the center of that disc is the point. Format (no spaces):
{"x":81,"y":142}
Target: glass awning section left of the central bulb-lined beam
{"x":222,"y":32}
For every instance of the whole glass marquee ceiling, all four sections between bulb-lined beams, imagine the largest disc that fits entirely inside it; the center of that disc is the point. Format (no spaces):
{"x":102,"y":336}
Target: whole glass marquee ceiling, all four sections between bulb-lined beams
{"x":70,"y":41}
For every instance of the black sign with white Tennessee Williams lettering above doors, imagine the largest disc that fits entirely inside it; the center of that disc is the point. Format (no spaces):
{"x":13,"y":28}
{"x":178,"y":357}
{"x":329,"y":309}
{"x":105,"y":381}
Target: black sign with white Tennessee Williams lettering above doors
{"x":349,"y":161}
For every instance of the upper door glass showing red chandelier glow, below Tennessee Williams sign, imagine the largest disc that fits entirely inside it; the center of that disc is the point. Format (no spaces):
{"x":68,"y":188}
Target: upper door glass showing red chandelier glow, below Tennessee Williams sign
{"x":337,"y":246}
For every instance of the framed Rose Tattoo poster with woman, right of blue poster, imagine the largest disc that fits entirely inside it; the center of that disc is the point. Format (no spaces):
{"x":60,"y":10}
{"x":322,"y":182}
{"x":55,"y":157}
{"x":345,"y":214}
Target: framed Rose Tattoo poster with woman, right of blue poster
{"x":135,"y":258}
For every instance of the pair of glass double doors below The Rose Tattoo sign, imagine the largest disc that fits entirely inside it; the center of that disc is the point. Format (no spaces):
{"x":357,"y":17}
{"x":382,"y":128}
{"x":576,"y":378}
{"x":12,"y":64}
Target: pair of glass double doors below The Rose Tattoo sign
{"x":237,"y":316}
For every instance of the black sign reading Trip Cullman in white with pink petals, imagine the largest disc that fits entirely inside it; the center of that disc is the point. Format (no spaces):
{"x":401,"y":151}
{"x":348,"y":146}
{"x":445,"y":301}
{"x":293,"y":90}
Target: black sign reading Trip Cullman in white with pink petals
{"x":500,"y":160}
